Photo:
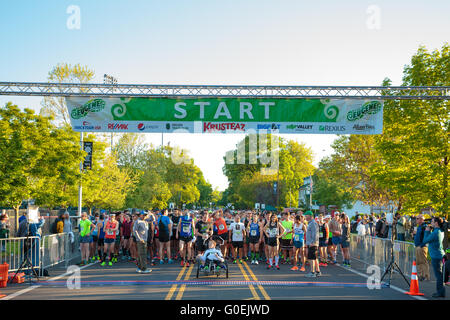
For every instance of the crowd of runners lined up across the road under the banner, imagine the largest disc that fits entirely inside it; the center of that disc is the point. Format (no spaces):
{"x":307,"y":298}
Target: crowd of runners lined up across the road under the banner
{"x":296,"y":239}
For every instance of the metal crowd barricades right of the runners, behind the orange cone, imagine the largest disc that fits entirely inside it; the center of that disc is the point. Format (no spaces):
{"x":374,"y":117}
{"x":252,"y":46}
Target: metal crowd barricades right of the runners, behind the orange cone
{"x":370,"y":250}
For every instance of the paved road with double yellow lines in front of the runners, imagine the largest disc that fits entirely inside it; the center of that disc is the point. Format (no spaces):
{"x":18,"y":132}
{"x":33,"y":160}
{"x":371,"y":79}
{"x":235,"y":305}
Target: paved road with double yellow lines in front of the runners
{"x":172,"y":282}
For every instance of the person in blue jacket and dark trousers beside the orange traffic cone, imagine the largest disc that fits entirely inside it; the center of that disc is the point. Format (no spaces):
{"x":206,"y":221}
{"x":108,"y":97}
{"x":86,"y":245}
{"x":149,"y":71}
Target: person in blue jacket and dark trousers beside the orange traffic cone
{"x":434,"y":239}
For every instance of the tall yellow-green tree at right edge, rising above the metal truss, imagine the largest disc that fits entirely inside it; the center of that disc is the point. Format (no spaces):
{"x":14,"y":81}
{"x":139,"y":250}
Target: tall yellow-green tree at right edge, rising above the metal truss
{"x":415,"y":140}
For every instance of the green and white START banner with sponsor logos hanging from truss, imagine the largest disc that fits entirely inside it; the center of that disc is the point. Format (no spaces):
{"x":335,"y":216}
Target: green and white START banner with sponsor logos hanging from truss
{"x":226,"y":115}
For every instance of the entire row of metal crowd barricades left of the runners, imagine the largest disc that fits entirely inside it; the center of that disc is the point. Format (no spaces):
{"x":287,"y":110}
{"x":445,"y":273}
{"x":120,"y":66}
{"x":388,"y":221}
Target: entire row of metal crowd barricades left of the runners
{"x":42,"y":252}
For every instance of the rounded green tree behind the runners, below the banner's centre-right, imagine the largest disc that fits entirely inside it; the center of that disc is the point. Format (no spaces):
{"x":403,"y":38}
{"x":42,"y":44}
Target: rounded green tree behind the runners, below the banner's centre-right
{"x":248,"y":184}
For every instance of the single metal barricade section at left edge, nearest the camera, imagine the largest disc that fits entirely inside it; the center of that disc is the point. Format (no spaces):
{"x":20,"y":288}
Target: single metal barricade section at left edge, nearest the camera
{"x":13,"y":251}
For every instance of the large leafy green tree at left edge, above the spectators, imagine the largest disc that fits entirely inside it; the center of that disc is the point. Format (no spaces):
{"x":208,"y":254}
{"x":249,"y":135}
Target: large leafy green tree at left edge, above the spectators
{"x":39,"y":160}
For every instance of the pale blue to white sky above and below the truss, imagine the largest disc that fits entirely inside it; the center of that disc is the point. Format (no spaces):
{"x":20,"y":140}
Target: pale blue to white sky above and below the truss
{"x":219,"y":42}
